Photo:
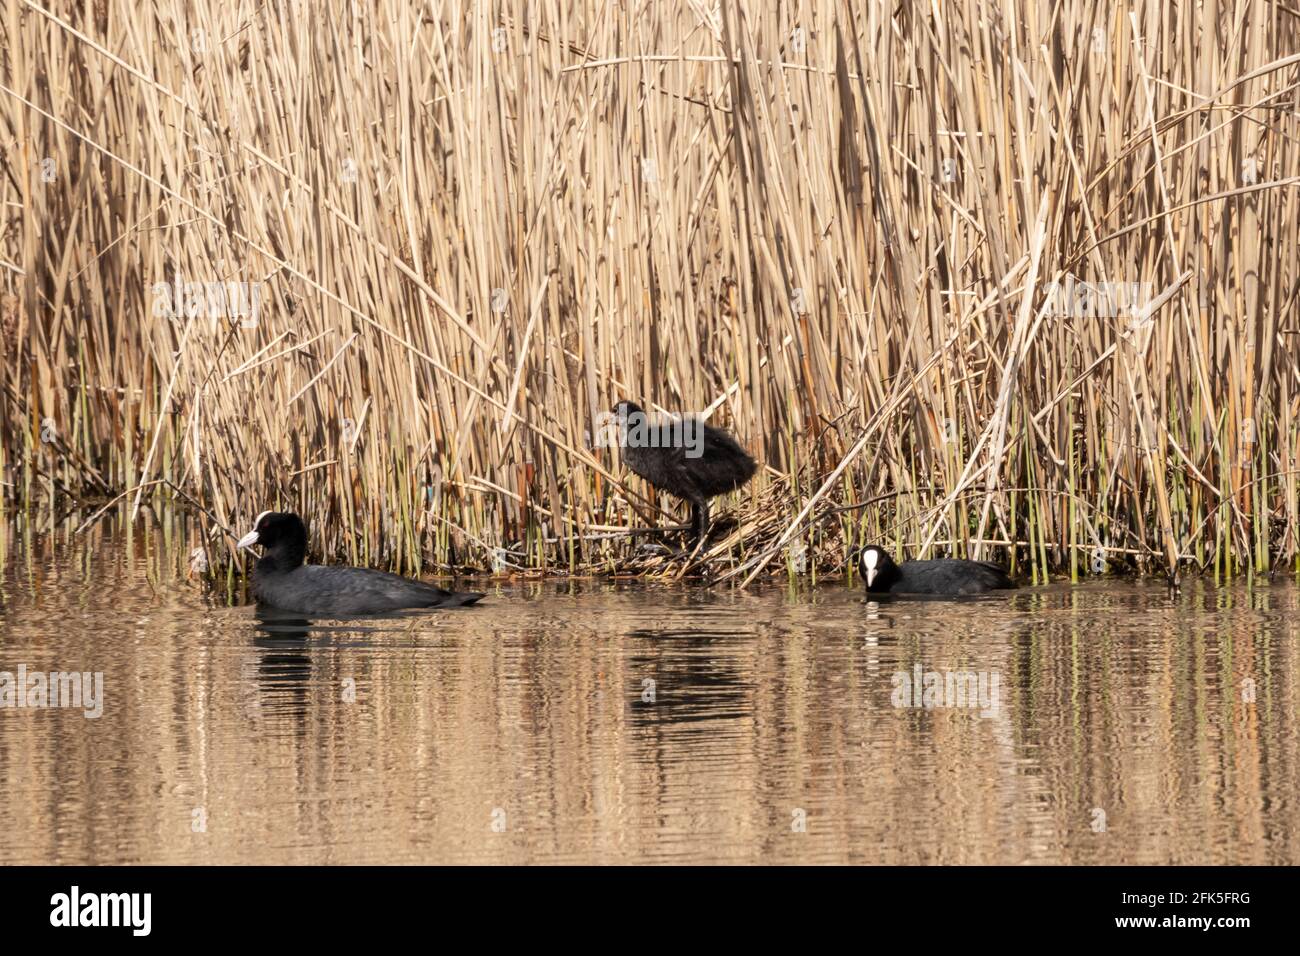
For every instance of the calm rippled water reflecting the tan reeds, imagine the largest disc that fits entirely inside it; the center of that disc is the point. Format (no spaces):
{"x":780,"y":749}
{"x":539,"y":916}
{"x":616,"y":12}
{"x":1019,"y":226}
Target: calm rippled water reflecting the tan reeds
{"x":592,"y":723}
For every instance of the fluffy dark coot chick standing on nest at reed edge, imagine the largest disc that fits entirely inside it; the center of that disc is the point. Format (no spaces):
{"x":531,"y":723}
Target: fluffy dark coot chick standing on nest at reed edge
{"x":684,"y":457}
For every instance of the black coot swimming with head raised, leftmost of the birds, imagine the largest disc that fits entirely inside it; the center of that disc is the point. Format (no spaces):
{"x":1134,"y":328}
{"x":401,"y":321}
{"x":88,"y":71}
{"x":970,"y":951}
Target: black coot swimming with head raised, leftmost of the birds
{"x":281,"y":579}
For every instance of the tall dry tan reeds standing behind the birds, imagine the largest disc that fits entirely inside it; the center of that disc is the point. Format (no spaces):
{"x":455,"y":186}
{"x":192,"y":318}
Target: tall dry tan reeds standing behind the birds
{"x":837,"y":227}
